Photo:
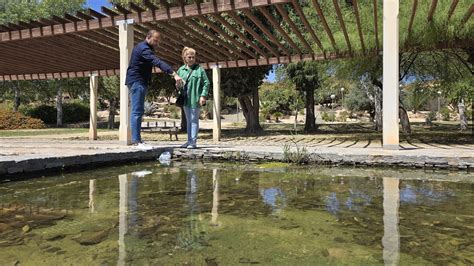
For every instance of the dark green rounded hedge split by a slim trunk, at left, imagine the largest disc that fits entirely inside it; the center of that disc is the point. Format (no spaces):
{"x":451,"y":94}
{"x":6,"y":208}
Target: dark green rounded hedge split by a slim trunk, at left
{"x":72,"y":113}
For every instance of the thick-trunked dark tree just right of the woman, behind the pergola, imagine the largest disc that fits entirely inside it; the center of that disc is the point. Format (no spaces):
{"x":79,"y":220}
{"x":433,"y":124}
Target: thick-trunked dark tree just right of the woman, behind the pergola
{"x":244,"y":83}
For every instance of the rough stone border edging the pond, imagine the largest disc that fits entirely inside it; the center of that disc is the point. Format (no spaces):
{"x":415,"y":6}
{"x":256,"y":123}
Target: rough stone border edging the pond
{"x":15,"y":170}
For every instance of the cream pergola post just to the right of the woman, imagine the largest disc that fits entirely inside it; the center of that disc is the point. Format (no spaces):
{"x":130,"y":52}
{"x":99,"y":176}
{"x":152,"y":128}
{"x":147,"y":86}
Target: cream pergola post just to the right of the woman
{"x":216,"y":109}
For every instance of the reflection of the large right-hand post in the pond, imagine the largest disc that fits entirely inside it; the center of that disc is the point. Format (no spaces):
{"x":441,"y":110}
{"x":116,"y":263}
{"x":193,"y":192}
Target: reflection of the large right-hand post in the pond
{"x":391,"y":236}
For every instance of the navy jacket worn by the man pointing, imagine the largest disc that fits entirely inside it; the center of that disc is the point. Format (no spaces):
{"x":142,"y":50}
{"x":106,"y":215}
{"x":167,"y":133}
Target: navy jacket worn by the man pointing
{"x":141,"y":64}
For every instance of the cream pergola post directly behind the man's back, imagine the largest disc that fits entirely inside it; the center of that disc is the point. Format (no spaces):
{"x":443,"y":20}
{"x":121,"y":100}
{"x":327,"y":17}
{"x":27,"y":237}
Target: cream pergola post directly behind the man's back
{"x":126,"y":46}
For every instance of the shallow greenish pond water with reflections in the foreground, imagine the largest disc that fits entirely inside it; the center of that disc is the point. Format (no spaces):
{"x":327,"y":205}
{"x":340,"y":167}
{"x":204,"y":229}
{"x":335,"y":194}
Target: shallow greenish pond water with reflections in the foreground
{"x":230,"y":214}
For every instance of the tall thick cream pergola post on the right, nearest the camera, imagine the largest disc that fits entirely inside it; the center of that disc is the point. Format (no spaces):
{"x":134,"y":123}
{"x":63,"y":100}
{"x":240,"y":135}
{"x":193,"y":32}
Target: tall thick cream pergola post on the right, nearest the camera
{"x":390,"y":74}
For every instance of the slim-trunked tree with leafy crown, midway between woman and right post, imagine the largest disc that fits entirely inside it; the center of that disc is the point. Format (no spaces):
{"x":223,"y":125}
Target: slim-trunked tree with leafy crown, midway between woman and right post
{"x":304,"y":75}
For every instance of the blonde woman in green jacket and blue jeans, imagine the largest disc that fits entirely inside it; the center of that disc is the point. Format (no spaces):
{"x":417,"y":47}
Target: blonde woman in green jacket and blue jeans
{"x":196,"y":88}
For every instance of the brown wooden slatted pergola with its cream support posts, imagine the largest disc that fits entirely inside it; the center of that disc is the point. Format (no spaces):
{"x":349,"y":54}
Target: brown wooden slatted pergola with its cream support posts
{"x":226,"y":33}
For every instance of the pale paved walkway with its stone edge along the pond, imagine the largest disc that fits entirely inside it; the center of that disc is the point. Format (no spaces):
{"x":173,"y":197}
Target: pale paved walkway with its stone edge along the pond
{"x":28,"y":155}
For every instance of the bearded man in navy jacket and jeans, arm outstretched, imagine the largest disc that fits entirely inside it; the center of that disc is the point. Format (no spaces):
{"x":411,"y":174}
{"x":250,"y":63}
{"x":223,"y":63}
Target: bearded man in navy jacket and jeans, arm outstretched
{"x":138,"y":77}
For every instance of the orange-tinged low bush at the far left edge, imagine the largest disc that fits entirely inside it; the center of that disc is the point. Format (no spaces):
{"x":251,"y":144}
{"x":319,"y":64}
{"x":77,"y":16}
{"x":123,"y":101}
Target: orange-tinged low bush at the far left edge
{"x":16,"y":120}
